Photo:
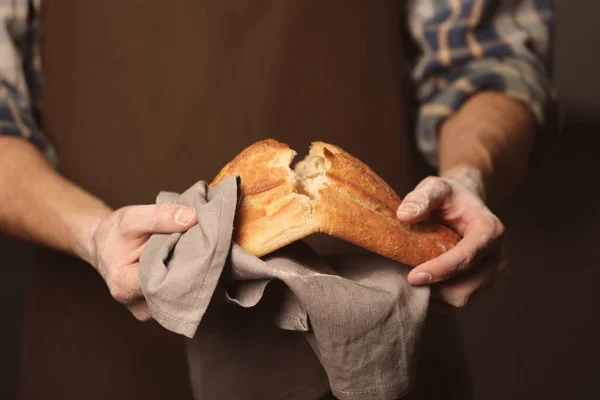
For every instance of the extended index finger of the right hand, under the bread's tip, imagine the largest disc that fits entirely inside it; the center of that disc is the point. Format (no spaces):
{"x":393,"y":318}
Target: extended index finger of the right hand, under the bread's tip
{"x":478,"y":241}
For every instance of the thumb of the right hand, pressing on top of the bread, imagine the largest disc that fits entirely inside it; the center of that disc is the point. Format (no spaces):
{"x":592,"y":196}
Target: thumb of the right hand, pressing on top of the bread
{"x":427,"y":196}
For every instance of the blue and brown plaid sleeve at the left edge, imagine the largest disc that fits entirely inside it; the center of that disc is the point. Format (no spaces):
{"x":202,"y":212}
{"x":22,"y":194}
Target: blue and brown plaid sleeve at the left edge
{"x":20,"y":77}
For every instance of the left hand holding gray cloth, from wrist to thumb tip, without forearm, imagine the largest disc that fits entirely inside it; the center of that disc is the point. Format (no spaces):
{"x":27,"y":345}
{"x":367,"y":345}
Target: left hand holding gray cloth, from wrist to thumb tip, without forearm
{"x":117,"y":243}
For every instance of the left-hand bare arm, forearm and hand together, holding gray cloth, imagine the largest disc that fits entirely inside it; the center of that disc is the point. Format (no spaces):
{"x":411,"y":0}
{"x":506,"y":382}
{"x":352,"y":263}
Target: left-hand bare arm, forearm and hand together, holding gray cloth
{"x":42,"y":206}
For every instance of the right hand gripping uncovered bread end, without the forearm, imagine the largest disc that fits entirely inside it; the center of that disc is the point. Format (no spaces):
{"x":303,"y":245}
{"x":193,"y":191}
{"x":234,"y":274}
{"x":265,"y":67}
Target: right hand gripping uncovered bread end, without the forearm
{"x":473,"y":263}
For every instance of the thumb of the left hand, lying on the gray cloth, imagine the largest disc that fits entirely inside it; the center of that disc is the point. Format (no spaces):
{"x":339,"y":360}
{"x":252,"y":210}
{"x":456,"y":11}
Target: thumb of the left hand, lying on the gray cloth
{"x":161,"y":218}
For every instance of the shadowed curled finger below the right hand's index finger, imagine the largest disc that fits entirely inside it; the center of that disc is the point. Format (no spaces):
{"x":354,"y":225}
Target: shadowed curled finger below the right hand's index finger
{"x":461,"y":290}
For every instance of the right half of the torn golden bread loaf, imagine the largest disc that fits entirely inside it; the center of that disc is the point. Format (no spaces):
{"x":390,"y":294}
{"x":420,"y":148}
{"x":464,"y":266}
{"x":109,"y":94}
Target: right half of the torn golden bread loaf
{"x":357,"y":205}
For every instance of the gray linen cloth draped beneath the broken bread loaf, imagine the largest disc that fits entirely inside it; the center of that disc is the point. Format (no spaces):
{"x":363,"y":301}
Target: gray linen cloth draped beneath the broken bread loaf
{"x":358,"y":313}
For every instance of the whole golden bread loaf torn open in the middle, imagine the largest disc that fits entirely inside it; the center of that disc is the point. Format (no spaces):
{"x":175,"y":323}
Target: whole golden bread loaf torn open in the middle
{"x":331,"y":192}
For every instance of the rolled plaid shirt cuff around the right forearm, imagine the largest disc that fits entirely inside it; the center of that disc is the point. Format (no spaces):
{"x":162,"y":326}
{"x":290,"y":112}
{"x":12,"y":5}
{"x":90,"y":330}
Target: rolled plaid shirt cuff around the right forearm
{"x":441,"y":96}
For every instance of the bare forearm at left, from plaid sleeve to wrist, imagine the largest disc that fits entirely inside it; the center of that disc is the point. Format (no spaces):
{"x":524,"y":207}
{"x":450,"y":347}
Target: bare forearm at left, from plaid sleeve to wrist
{"x":41,"y":206}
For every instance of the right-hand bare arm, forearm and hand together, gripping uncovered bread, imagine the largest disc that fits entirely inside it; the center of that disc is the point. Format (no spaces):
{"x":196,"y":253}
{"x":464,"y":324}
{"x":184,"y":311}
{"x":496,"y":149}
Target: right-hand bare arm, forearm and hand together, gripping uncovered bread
{"x":483,"y":152}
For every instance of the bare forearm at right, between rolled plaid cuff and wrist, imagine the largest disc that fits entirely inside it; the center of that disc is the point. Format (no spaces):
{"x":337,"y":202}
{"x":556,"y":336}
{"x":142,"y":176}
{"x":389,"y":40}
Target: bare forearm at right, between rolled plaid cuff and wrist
{"x":487,"y":144}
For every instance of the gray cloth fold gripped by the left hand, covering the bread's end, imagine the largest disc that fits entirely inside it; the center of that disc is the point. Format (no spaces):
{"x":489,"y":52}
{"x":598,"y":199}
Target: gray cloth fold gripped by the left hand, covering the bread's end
{"x":180,"y":271}
